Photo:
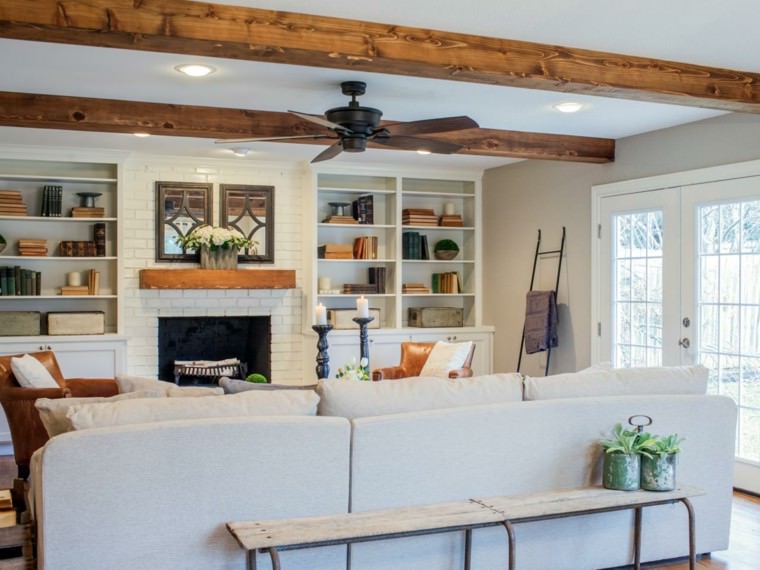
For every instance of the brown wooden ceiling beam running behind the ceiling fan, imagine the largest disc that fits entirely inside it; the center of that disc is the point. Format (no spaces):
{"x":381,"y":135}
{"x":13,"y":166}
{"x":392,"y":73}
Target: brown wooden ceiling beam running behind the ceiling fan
{"x":114,"y":116}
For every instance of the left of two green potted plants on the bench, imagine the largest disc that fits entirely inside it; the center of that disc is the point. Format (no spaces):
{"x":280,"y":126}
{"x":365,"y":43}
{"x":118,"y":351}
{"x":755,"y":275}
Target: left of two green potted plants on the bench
{"x":621,"y":469}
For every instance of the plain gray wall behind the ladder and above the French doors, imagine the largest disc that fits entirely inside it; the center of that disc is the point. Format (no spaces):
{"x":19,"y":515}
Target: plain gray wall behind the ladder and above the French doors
{"x":521,"y":198}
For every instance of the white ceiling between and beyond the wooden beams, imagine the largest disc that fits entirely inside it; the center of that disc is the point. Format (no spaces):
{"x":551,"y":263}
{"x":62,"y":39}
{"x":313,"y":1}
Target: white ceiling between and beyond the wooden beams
{"x":694,"y":31}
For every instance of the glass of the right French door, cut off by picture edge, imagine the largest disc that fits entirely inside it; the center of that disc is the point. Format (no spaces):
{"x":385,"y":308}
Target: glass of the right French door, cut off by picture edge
{"x":729,"y":309}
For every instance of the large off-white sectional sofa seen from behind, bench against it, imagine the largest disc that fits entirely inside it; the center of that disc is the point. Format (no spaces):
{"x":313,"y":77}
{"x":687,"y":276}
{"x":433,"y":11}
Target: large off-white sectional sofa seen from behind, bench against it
{"x":157,"y":495}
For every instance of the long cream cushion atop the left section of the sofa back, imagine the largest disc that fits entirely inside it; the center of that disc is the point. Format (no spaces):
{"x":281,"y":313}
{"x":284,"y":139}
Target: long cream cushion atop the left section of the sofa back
{"x":275,"y":403}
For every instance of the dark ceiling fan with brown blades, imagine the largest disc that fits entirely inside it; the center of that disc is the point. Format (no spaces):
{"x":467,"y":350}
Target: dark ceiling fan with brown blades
{"x":353,"y":126}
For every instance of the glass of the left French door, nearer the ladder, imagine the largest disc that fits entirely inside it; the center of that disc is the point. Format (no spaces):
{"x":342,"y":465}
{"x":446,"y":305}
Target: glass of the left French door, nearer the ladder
{"x":637,"y":289}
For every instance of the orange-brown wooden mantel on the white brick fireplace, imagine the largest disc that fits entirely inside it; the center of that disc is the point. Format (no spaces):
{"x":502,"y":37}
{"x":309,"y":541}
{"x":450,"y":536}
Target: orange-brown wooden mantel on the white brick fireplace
{"x":217,"y":279}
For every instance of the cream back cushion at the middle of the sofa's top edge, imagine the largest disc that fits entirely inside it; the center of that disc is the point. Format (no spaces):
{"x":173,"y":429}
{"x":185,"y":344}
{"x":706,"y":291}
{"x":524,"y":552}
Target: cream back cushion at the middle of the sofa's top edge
{"x":352,"y":399}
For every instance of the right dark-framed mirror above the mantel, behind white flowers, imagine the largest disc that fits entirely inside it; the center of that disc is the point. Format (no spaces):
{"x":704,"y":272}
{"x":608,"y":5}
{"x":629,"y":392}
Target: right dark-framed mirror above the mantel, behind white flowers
{"x":250,"y":210}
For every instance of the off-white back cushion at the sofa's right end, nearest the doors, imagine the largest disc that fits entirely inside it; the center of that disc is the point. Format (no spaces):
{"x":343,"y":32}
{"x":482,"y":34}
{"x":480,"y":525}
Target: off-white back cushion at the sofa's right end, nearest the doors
{"x":619,"y":382}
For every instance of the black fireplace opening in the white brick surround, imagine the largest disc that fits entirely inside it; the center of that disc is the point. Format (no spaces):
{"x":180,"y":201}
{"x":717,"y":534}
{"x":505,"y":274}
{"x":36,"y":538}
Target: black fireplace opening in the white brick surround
{"x":247,"y":339}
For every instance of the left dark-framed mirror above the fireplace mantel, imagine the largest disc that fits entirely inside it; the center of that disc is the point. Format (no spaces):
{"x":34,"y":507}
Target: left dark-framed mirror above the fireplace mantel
{"x":180,"y":207}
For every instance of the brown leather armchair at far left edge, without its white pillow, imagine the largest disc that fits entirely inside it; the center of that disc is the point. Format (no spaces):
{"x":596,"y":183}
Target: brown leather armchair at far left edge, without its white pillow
{"x":27,"y":432}
